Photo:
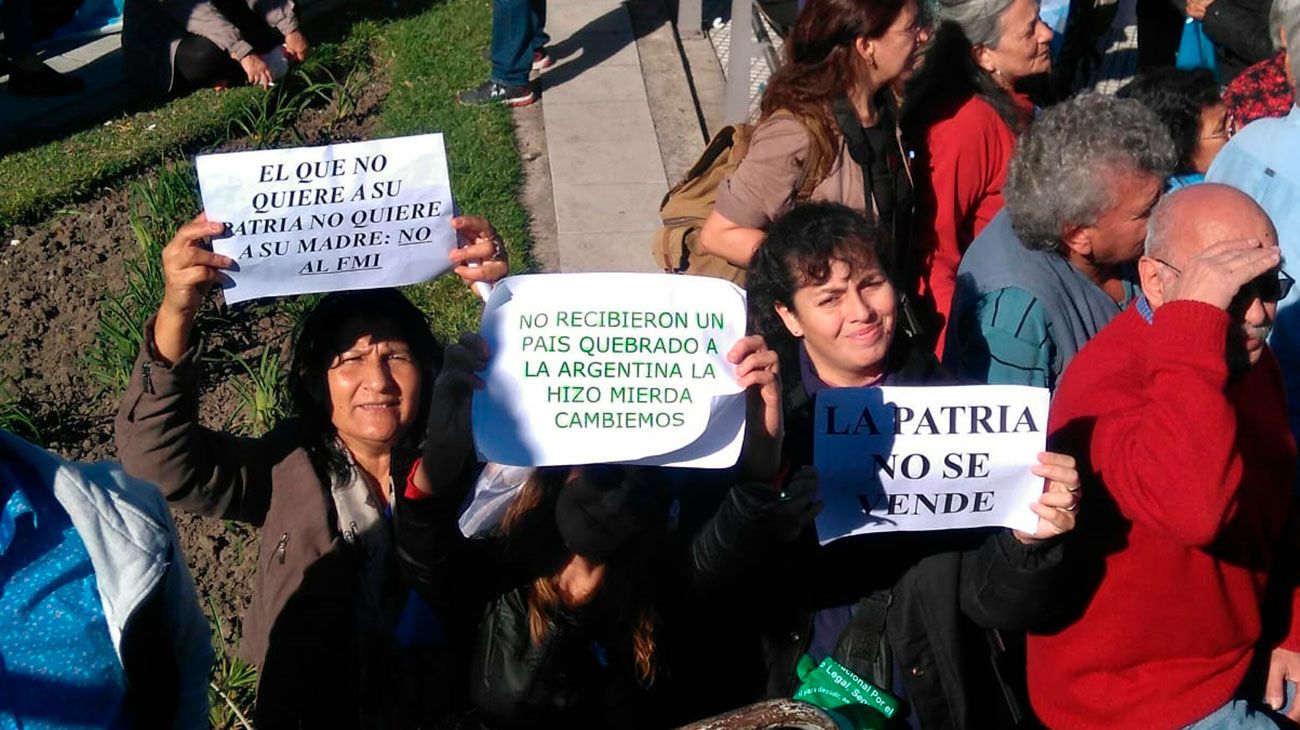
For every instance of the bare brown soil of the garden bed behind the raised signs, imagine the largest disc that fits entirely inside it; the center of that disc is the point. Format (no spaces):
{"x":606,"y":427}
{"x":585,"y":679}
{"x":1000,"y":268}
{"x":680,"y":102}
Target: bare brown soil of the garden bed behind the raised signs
{"x":53,"y":281}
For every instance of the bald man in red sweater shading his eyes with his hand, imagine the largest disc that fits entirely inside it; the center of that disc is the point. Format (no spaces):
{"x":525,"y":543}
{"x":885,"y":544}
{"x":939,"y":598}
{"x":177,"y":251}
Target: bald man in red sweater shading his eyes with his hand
{"x":1176,"y":415}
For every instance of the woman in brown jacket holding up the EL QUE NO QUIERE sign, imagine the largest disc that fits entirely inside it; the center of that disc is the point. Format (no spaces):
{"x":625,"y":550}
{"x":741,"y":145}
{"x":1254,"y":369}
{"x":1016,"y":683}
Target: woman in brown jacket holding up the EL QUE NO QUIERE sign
{"x":322,"y":624}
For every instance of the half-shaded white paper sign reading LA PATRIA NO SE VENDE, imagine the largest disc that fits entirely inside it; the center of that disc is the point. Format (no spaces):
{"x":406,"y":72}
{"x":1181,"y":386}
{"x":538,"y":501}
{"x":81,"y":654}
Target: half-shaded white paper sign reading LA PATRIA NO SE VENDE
{"x":898,"y":459}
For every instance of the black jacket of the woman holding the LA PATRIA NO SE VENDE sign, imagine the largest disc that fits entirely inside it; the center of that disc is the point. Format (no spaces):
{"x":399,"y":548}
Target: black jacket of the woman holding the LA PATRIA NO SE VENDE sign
{"x":934,"y":592}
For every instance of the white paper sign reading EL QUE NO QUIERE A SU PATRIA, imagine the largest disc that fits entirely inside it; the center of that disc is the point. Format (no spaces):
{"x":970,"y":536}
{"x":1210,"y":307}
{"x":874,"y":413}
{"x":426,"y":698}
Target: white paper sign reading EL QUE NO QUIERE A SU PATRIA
{"x":350,"y":216}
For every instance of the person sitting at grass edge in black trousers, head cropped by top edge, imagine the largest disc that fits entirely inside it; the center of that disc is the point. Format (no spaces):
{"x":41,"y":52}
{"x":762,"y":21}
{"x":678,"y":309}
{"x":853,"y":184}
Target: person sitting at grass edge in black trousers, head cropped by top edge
{"x":177,"y":46}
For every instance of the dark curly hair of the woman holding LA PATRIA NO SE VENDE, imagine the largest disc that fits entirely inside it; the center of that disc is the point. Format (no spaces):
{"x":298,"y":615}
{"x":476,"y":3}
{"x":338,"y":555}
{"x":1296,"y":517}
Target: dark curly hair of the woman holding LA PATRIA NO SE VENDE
{"x":798,"y":253}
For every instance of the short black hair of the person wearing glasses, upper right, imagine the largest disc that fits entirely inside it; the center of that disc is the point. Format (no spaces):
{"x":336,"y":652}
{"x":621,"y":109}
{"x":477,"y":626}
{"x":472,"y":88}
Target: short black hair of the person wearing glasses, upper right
{"x":1178,"y":97}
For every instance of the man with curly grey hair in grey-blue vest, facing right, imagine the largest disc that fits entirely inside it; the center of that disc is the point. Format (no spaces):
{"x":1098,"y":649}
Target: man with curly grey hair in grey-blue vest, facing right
{"x":1056,"y":264}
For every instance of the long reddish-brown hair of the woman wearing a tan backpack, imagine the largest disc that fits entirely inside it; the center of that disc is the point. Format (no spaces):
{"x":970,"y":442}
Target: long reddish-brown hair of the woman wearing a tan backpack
{"x":820,"y":58}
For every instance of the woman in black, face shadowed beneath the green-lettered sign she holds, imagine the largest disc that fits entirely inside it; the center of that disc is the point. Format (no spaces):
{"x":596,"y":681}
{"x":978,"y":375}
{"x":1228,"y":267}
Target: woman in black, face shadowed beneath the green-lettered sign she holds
{"x":566,"y":610}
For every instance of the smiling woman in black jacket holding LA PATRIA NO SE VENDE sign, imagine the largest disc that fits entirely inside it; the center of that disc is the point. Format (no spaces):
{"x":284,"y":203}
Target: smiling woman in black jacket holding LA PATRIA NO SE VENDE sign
{"x":900,"y":610}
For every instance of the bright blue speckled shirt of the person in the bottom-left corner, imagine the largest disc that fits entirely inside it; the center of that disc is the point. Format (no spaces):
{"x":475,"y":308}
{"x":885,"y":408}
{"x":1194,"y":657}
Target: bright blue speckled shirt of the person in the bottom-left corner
{"x":58,"y":663}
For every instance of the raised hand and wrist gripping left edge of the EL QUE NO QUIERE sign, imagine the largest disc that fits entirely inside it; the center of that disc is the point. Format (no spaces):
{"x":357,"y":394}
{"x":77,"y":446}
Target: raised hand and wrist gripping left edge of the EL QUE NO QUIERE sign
{"x":189,"y":272}
